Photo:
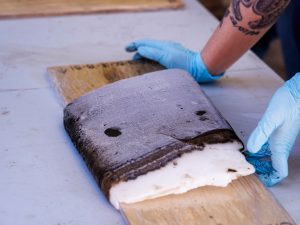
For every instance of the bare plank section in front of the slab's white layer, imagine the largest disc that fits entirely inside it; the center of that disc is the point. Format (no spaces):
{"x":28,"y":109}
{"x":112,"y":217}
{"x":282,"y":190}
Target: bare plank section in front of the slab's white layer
{"x":244,"y":201}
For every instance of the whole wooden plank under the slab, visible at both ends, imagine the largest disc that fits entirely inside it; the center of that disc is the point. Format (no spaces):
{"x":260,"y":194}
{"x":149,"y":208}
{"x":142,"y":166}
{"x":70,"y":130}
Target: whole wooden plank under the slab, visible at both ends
{"x":245,"y":201}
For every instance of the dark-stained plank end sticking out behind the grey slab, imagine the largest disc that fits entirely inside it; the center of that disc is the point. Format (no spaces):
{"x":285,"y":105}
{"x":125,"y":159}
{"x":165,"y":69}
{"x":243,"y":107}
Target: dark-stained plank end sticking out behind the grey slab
{"x":73,"y":81}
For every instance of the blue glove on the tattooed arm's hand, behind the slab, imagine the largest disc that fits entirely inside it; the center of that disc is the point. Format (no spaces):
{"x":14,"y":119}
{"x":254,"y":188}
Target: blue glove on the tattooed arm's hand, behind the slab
{"x":172,"y":55}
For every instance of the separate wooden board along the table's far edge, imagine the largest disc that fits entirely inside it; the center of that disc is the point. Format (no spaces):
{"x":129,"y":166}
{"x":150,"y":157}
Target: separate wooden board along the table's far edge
{"x":27,"y":8}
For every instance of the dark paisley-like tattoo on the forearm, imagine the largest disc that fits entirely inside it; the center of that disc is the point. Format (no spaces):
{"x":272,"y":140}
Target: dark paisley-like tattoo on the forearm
{"x":267,"y":10}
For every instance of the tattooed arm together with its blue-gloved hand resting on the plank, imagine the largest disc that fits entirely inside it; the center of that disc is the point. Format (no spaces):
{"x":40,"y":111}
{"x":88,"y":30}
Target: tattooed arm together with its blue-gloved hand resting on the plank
{"x":243,"y":25}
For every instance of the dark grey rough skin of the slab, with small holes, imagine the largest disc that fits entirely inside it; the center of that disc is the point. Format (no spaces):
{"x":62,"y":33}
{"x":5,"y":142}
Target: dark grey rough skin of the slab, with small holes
{"x":137,"y":125}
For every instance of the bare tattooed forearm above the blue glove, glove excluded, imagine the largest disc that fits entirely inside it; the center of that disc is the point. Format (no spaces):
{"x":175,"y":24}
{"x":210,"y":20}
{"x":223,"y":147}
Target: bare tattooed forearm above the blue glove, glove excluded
{"x":243,"y":24}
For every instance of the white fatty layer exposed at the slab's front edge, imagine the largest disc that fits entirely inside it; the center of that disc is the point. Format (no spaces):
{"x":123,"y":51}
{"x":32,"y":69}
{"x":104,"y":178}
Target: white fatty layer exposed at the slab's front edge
{"x":216,"y":164}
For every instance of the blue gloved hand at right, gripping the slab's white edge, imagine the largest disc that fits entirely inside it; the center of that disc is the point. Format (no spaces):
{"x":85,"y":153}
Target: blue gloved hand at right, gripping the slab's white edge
{"x":276,"y":133}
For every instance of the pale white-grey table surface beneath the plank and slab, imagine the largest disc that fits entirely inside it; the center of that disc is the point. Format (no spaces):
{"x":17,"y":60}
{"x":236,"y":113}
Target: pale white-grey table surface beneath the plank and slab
{"x":43,"y":180}
